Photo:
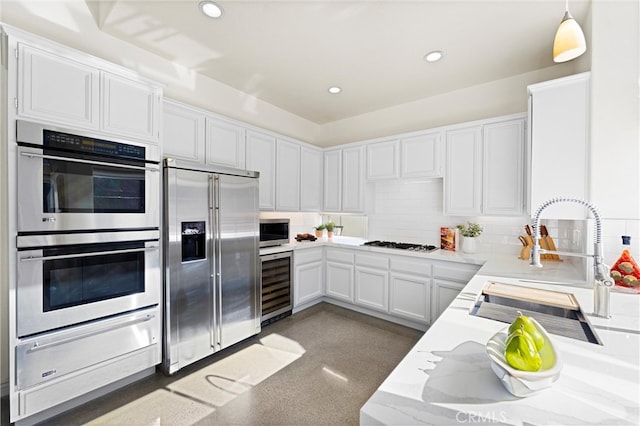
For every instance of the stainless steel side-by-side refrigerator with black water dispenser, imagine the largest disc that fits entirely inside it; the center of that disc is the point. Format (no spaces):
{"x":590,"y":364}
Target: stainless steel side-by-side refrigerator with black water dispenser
{"x":211,"y":259}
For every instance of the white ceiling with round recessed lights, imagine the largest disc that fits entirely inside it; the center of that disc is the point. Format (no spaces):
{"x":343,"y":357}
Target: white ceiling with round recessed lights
{"x":288,"y":53}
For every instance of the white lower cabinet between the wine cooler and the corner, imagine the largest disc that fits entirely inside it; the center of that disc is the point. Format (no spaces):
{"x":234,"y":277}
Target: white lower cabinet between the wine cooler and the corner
{"x":308,"y":276}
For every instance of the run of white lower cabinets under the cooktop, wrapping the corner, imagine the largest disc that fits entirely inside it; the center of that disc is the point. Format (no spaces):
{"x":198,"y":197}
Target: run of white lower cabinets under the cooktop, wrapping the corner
{"x":414,"y":290}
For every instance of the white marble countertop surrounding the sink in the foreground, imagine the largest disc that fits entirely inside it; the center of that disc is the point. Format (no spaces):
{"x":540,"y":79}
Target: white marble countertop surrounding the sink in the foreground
{"x":447,"y":379}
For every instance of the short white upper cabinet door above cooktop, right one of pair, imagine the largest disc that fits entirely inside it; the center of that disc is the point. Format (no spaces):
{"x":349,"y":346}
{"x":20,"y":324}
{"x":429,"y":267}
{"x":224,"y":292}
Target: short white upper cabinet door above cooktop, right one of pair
{"x":420,"y":156}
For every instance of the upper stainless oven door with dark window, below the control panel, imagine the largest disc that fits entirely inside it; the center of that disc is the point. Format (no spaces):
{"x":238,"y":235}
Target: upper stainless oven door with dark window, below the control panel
{"x":59,"y":193}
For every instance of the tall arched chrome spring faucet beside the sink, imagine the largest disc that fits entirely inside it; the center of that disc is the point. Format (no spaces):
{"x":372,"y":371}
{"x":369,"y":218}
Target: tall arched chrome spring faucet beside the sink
{"x":603,"y":282}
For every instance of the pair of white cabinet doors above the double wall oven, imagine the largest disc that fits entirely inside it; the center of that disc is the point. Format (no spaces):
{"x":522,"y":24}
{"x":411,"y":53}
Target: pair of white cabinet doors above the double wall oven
{"x":62,"y":88}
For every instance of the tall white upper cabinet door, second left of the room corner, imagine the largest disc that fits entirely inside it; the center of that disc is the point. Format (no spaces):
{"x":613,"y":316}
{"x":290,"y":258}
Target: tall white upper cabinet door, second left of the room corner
{"x":287,"y":176}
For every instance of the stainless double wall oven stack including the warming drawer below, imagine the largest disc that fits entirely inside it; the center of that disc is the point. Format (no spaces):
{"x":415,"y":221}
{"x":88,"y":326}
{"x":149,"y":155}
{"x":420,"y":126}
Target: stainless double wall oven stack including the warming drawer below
{"x":88,"y":288}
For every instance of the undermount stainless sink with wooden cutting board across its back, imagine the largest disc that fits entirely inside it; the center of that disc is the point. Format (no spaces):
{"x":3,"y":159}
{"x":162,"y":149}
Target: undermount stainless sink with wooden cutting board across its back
{"x":559,"y":313}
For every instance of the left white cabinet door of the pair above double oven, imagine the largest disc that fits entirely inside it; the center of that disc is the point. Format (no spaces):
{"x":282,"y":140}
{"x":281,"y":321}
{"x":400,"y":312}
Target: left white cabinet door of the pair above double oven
{"x":57,"y":89}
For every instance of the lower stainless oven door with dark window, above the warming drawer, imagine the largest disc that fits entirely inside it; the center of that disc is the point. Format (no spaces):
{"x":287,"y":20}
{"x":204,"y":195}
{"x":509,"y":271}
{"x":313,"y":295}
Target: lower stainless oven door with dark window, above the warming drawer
{"x":69,"y":284}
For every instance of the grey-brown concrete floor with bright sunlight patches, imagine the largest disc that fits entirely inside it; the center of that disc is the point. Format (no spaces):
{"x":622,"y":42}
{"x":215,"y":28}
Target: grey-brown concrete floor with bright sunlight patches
{"x":318,"y":366}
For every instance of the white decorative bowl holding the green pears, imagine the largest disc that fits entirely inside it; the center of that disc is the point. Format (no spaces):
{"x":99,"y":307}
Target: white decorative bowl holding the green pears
{"x":524,"y":383}
